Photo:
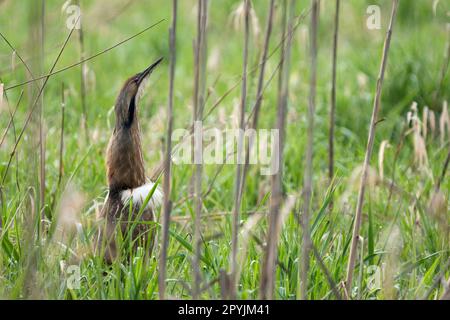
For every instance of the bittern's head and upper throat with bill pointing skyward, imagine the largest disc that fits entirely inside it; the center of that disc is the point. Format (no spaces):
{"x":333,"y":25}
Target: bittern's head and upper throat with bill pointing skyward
{"x":129,"y":96}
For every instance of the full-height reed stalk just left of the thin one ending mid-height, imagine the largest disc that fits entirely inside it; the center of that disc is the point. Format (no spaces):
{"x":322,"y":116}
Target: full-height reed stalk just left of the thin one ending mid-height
{"x":307,"y":187}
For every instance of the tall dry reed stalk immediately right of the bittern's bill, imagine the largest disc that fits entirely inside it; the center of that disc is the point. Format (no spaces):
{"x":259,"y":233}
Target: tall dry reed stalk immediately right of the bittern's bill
{"x":167,"y":161}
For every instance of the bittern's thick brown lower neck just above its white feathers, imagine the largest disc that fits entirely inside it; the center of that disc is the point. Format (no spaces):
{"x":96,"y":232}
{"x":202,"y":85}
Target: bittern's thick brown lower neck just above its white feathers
{"x":125,"y":164}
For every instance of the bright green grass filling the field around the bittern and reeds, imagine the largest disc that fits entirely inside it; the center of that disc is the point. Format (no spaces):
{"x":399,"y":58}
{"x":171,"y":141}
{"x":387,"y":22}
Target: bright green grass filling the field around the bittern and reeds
{"x":31,"y":260}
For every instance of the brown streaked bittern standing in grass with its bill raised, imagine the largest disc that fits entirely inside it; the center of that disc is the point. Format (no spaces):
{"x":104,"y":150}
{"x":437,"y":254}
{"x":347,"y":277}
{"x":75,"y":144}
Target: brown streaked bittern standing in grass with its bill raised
{"x":126,"y":173}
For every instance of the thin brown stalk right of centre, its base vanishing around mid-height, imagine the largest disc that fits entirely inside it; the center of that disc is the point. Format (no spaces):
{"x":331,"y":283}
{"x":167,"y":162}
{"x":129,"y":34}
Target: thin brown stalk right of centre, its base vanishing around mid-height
{"x":333,"y":96}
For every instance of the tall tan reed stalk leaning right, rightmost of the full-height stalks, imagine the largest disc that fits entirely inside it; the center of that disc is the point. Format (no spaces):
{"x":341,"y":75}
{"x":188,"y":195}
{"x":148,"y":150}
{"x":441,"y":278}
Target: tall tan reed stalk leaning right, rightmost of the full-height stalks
{"x":369,"y":149}
